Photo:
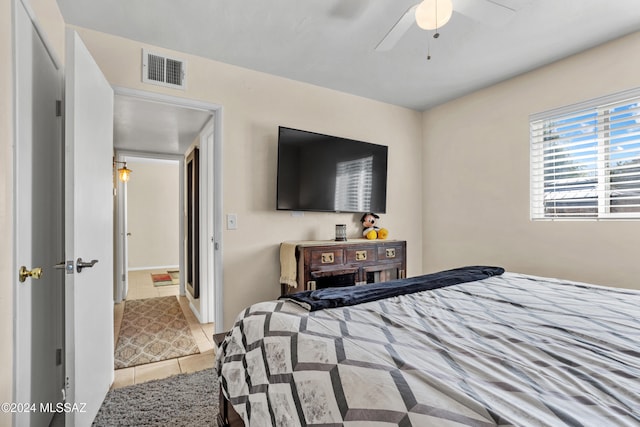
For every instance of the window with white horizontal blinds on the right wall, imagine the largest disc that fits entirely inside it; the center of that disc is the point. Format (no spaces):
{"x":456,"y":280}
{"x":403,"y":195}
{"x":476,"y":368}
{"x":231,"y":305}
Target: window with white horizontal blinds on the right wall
{"x":544,"y":121}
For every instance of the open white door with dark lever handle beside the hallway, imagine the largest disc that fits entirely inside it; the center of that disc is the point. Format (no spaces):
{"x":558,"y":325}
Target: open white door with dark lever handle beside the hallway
{"x":88,"y":232}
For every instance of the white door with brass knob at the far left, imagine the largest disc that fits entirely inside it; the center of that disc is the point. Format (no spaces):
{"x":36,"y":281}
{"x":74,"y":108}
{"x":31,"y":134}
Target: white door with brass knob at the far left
{"x":38,"y":374}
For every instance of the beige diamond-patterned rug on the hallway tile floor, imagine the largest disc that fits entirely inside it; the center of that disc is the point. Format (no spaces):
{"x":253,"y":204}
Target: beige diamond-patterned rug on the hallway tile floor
{"x":153,"y":329}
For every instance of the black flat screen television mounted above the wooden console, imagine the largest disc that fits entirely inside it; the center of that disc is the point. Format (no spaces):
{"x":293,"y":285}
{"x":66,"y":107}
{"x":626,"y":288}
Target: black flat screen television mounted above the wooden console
{"x":326,"y":173}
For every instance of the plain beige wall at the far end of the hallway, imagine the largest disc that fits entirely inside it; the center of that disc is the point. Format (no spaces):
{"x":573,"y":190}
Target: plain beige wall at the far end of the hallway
{"x":153,"y":214}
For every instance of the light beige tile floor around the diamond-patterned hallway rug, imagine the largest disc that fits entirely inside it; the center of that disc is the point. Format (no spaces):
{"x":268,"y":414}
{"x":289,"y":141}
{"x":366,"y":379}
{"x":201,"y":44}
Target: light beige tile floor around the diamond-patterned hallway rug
{"x":140,"y":287}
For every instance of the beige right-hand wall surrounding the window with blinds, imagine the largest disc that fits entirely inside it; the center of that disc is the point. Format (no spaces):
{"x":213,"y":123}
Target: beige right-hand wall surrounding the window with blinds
{"x":476,"y":177}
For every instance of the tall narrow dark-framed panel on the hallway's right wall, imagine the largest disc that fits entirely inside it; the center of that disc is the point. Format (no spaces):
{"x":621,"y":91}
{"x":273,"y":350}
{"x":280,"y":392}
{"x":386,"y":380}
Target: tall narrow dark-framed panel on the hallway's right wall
{"x":193,"y":223}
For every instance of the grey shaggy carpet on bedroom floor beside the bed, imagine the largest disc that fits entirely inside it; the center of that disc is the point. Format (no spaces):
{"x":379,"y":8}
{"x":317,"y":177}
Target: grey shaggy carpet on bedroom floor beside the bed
{"x":182,"y":400}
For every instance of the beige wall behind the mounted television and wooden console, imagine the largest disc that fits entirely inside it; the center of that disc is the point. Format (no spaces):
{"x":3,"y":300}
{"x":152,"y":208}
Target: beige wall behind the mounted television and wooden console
{"x":254,"y":105}
